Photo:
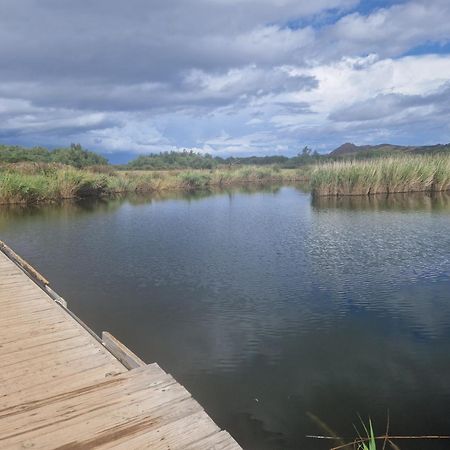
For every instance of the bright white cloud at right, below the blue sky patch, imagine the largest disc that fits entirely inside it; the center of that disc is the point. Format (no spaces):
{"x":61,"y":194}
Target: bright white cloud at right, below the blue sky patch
{"x":356,"y":80}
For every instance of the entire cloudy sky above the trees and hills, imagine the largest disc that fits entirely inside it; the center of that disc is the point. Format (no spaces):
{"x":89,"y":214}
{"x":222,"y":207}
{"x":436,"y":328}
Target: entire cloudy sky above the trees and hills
{"x":226,"y":77}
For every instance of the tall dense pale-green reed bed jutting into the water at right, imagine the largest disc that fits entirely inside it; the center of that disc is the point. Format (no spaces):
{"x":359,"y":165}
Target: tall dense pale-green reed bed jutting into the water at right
{"x":386,"y":175}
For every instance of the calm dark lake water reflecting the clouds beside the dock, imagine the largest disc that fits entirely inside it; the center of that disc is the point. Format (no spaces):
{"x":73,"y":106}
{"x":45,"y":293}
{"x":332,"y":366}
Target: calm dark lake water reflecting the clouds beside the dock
{"x":278,"y":312}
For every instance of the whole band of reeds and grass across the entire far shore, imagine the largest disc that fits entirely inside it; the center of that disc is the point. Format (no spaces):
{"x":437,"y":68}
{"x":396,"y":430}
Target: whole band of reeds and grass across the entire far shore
{"x":42,"y":182}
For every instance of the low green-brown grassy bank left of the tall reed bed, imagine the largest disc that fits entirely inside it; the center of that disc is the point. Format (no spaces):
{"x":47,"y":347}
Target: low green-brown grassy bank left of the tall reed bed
{"x":33,"y":183}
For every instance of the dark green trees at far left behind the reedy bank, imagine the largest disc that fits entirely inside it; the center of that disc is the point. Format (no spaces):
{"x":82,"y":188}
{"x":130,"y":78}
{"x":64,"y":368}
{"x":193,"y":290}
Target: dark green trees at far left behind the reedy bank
{"x":74,"y":155}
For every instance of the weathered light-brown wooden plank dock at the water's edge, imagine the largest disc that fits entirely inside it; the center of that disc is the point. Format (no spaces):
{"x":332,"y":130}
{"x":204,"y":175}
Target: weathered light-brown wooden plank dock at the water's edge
{"x":63,"y":387}
